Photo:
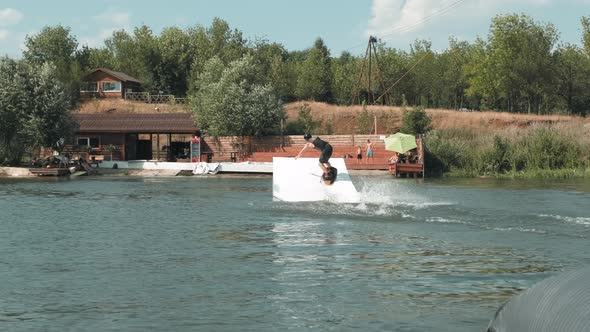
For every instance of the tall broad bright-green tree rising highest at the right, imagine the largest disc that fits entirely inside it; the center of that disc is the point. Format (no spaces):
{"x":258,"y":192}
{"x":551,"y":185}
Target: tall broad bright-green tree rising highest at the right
{"x":516,"y":72}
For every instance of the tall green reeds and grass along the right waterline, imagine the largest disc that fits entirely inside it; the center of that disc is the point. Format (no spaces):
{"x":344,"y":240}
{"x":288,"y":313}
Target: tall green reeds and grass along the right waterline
{"x":559,"y":150}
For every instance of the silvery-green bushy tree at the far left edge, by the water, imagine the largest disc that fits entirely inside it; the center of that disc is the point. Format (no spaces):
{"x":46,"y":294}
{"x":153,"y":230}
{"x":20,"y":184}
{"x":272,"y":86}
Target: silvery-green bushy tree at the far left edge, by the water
{"x":34,"y":108}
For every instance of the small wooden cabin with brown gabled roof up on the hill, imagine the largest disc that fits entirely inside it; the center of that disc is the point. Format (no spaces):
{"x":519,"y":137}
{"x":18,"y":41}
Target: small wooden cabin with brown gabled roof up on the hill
{"x":106,"y":83}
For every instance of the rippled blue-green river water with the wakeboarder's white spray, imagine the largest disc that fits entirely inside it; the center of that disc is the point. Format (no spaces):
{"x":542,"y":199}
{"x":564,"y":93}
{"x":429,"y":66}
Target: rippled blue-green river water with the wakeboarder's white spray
{"x":218,"y":254}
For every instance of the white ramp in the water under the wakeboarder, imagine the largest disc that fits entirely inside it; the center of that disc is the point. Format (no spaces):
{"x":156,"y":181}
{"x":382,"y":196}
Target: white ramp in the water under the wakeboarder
{"x":299,"y":180}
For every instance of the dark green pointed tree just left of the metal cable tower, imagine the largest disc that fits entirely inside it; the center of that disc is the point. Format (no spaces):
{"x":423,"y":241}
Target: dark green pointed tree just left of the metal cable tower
{"x":314,"y":80}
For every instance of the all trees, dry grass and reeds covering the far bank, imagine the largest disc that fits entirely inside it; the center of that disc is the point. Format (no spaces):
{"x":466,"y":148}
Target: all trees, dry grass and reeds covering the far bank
{"x":520,"y":95}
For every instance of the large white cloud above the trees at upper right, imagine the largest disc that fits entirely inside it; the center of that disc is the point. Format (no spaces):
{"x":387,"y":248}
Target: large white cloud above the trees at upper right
{"x":399,"y":23}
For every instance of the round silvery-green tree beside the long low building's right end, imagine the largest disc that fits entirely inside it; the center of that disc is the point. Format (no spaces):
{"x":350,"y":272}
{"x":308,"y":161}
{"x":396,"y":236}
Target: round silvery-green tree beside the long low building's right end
{"x":227,"y":101}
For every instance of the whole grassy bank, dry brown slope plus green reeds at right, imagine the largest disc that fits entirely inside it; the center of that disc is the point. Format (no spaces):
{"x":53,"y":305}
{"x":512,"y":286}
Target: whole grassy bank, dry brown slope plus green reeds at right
{"x":461,"y":144}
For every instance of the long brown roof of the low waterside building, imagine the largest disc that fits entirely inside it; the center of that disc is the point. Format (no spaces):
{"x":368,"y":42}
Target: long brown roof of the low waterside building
{"x":178,"y":123}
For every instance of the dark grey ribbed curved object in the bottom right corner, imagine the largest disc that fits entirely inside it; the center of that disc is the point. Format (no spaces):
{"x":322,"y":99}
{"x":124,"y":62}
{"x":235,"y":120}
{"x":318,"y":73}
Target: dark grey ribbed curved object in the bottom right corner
{"x":560,"y":303}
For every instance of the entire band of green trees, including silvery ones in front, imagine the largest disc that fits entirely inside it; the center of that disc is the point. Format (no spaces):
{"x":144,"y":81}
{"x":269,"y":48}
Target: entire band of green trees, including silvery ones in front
{"x":520,"y":67}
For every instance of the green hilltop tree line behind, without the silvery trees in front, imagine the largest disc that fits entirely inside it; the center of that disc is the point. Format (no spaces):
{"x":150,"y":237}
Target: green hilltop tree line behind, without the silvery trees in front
{"x":520,"y":67}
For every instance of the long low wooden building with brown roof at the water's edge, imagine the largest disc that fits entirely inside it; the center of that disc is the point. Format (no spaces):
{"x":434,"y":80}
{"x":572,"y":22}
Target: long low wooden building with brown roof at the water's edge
{"x":133,"y":136}
